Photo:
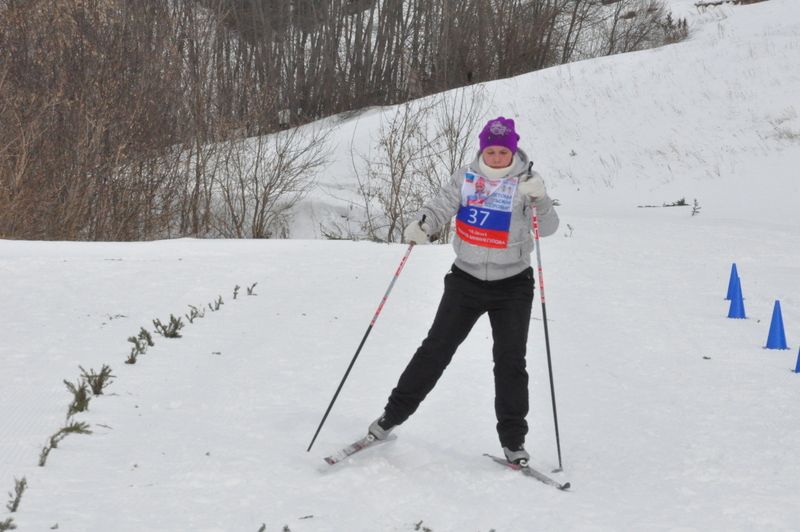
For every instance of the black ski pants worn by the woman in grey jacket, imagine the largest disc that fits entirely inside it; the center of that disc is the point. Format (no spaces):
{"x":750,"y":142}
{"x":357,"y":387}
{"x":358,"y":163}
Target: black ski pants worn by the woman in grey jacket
{"x":465,"y":299}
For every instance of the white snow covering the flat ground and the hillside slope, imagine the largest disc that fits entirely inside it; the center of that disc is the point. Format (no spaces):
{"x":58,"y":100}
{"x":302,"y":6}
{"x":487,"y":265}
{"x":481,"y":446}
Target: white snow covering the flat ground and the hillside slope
{"x":672,"y":416}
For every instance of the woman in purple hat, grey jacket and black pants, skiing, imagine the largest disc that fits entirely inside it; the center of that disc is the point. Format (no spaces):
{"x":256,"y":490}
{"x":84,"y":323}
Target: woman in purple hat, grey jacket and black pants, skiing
{"x":492,"y":201}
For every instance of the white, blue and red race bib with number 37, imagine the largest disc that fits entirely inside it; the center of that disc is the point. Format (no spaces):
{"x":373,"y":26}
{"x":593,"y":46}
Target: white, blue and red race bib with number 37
{"x":484,"y":217}
